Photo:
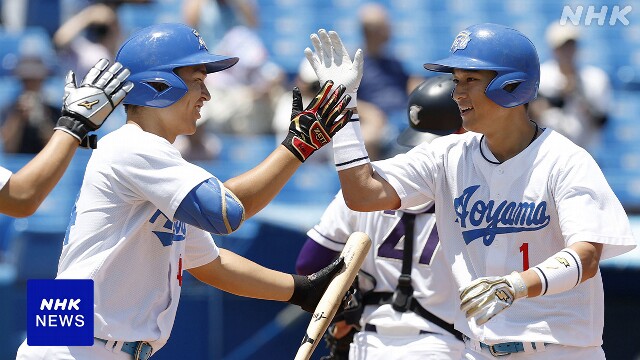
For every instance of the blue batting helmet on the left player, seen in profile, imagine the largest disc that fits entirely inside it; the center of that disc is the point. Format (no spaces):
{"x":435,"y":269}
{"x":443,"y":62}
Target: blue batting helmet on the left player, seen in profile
{"x":153,"y":53}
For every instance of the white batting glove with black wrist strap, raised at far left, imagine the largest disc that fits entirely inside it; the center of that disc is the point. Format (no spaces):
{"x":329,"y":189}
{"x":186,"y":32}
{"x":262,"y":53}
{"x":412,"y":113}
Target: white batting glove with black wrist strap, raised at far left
{"x":85,"y":108}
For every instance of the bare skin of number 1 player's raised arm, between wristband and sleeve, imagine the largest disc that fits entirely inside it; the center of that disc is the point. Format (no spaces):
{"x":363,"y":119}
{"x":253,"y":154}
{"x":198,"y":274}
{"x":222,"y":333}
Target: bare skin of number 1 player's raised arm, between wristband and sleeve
{"x":364,"y":190}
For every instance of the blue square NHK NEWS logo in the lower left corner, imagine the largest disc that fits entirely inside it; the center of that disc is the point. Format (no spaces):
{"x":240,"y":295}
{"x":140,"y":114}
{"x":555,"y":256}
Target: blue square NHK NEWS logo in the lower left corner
{"x":60,"y":312}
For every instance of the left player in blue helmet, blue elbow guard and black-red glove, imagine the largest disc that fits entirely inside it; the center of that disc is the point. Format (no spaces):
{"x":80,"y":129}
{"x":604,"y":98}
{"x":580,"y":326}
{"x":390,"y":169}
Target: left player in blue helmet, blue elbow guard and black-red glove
{"x":144,"y":214}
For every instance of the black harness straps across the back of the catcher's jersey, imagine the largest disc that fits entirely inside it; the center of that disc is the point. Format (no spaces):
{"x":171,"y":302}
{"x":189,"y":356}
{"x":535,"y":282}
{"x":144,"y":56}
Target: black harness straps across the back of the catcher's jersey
{"x":402,"y":298}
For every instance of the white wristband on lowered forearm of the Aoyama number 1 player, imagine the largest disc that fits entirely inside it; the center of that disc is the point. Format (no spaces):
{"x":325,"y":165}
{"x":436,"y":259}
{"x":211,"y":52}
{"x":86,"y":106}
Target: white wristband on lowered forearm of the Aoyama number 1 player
{"x":559,"y":273}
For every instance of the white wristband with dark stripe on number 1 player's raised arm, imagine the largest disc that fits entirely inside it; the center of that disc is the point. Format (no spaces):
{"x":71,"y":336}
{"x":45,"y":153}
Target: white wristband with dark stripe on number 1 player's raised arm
{"x":348,"y":146}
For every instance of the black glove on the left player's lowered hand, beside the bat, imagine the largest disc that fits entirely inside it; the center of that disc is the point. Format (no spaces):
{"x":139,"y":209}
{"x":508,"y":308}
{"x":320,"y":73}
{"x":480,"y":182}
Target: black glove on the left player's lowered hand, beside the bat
{"x":308,"y":290}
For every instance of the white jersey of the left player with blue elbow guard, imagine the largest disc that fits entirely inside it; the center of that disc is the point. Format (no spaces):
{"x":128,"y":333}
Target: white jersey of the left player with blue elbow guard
{"x":123,"y":236}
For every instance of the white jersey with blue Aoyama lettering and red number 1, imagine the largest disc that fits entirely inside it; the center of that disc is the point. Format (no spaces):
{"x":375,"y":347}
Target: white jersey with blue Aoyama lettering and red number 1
{"x":494,"y":218}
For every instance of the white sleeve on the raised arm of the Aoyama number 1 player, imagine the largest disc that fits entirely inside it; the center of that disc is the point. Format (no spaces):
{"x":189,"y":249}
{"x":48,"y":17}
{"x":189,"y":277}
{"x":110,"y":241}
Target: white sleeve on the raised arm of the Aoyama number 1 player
{"x":412,"y":175}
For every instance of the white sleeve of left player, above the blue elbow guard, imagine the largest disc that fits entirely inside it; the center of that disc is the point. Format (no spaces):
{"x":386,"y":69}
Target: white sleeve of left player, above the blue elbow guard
{"x":160,"y":175}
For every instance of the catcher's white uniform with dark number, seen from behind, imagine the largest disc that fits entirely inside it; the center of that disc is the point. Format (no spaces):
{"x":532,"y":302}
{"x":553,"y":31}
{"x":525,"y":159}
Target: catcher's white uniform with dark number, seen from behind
{"x":397,"y":333}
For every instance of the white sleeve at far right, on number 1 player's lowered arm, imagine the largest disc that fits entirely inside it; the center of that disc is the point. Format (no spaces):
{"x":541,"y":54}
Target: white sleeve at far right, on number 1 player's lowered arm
{"x":588,"y":210}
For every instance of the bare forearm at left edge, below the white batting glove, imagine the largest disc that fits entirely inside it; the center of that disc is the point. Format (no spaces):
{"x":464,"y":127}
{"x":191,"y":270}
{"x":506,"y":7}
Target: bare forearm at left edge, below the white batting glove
{"x":27,"y":188}
